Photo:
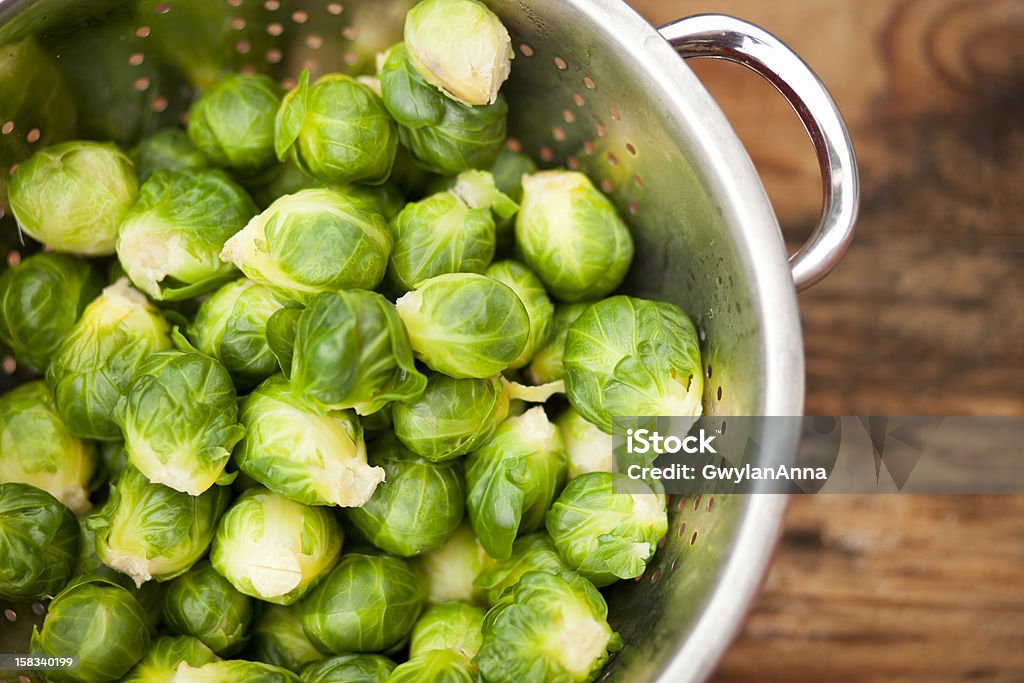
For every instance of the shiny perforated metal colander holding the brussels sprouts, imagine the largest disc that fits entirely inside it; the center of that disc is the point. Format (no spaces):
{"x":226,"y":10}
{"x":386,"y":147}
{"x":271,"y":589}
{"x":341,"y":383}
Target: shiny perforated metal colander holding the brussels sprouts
{"x":595,"y":89}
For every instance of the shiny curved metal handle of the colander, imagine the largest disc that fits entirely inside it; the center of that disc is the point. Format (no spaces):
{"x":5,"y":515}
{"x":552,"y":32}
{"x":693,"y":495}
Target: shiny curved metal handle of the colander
{"x":729,"y":38}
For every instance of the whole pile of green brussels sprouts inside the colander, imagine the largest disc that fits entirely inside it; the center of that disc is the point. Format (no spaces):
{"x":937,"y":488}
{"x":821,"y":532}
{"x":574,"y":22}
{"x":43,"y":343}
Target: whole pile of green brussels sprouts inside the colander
{"x":294,"y":431}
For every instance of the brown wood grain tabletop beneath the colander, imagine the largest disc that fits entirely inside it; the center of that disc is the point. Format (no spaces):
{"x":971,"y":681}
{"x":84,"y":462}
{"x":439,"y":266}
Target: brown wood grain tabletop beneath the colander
{"x":924,"y":317}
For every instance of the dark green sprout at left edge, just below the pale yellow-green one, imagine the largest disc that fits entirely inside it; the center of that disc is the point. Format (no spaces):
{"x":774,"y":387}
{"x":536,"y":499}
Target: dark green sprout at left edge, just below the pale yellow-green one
{"x":40,"y":302}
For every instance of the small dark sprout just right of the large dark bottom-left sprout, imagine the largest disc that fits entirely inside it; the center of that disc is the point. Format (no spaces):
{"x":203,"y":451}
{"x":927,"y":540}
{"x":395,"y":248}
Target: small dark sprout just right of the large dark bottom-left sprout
{"x":204,"y":605}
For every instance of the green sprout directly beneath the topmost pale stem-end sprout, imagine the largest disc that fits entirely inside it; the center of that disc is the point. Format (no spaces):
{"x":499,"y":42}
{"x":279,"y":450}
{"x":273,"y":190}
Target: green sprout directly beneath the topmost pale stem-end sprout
{"x":444,"y":137}
